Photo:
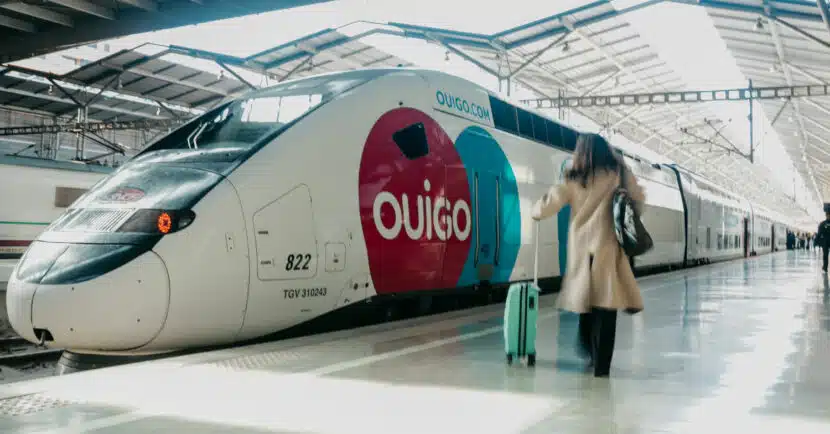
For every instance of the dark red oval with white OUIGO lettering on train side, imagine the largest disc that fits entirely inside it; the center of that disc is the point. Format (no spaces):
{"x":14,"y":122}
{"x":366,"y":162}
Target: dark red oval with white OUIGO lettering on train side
{"x":415,"y":211}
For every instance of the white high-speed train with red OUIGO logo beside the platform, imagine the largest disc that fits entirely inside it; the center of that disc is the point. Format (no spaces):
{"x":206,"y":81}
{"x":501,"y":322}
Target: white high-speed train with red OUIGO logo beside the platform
{"x":322,"y":193}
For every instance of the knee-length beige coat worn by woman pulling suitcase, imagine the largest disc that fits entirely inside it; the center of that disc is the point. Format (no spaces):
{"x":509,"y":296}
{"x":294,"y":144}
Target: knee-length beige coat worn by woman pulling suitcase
{"x":608,"y":282}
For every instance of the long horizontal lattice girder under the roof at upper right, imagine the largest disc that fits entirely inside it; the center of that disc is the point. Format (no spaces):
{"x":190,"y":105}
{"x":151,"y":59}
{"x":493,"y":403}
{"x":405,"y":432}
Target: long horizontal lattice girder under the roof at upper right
{"x":682,"y":97}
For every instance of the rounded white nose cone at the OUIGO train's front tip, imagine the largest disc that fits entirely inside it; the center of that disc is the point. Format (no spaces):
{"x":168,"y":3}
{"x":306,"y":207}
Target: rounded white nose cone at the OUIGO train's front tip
{"x":123,"y":308}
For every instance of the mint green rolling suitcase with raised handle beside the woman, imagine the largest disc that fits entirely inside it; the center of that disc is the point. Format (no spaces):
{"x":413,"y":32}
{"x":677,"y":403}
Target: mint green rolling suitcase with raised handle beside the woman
{"x":521,"y":311}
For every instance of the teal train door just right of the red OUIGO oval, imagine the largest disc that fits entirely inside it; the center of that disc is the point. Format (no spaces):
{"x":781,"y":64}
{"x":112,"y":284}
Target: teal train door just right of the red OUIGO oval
{"x":487,"y":219}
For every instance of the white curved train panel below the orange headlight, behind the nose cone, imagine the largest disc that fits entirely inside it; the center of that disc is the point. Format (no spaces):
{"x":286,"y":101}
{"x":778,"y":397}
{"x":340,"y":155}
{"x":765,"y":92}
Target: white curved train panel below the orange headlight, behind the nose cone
{"x":209,"y":264}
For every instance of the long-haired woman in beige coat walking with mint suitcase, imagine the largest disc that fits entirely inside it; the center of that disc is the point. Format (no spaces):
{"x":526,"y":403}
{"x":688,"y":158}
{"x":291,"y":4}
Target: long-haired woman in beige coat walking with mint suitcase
{"x":598,"y":280}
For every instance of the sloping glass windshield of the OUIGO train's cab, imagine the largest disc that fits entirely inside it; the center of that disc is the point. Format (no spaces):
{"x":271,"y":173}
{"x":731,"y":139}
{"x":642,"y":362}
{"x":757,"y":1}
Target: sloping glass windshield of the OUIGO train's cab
{"x":235,"y":127}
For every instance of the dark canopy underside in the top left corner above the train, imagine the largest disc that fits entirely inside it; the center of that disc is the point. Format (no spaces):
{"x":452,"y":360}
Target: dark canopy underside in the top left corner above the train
{"x":29,"y":28}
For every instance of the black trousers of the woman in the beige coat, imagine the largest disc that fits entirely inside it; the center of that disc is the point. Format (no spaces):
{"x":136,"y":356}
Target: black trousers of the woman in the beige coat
{"x":597,"y":332}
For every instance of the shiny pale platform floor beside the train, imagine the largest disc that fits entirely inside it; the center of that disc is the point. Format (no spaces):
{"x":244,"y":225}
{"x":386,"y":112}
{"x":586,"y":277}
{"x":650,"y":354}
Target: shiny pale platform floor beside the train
{"x":737,"y":346}
